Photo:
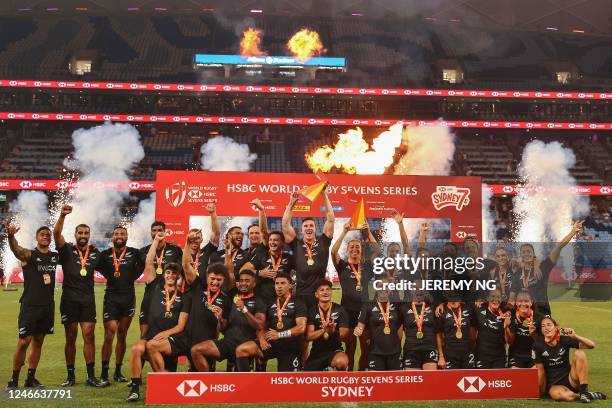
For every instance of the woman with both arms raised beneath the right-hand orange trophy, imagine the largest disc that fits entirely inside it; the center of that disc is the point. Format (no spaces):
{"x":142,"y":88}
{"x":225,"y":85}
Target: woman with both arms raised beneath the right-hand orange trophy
{"x":354,"y":274}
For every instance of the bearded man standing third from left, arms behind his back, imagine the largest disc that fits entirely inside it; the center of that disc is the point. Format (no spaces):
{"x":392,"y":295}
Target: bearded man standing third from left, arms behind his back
{"x":121,"y":266}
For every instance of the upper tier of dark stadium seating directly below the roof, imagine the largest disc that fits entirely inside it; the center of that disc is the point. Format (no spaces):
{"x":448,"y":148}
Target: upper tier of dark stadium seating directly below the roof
{"x":161,"y":47}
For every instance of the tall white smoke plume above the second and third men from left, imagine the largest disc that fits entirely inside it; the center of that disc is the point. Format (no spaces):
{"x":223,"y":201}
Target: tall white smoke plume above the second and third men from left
{"x":103,"y":153}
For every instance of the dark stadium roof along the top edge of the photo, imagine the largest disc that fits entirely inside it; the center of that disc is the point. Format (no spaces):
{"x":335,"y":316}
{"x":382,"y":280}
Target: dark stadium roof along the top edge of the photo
{"x":588,"y":16}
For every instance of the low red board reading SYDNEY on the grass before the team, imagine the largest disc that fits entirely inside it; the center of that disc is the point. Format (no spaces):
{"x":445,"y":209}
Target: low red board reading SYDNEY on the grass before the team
{"x":236,"y":388}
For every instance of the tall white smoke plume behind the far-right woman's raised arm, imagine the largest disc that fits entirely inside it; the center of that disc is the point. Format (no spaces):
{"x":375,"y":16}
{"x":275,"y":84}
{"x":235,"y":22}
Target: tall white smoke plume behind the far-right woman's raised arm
{"x":547,"y":215}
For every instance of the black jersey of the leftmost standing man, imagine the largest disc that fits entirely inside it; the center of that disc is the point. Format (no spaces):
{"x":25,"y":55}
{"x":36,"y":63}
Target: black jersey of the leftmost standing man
{"x":39,"y":278}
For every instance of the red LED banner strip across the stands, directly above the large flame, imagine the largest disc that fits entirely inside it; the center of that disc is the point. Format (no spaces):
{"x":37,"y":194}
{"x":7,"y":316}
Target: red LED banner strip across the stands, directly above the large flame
{"x":251,"y":120}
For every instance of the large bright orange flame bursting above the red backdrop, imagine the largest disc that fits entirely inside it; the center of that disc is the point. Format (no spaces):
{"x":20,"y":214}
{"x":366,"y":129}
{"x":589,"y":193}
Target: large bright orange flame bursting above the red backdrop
{"x":353,"y":155}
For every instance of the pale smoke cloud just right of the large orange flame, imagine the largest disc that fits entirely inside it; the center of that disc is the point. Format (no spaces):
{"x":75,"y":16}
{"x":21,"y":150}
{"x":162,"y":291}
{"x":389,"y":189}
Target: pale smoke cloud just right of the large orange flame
{"x":430,"y":151}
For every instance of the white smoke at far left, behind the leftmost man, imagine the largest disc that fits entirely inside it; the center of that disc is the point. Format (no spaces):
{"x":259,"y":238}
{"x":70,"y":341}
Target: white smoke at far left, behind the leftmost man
{"x":30,"y":209}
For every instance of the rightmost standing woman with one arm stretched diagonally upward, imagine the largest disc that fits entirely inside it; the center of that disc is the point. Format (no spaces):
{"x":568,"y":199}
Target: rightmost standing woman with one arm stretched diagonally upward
{"x":532,"y":274}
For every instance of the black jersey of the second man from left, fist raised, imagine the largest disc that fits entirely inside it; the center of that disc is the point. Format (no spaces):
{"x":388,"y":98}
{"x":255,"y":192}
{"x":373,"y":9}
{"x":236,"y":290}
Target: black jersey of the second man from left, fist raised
{"x":75,"y":285}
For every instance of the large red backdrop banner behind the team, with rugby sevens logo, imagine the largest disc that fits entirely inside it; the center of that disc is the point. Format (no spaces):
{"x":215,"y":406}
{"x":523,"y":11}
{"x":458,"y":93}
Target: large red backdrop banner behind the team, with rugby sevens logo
{"x":181,"y":194}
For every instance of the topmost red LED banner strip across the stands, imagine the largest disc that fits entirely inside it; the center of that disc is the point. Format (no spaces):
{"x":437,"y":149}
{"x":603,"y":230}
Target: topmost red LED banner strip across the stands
{"x":295,"y":90}
